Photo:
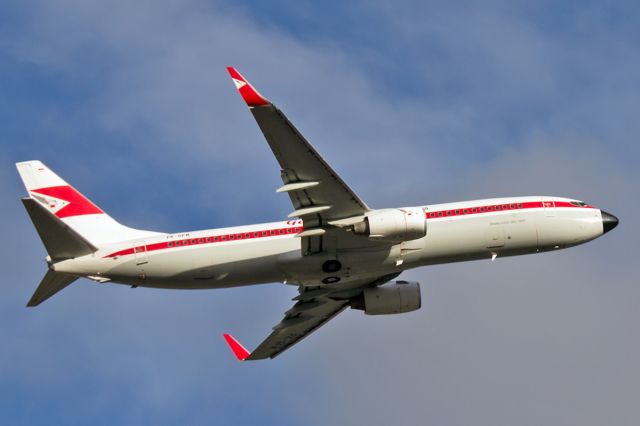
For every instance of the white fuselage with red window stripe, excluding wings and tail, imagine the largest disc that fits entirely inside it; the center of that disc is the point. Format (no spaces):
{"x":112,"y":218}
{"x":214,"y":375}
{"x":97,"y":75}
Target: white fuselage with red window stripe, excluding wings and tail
{"x":271,"y":252}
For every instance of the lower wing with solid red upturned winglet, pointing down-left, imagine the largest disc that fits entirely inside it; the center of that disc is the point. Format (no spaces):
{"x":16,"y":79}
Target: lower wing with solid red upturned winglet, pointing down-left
{"x":313,"y":309}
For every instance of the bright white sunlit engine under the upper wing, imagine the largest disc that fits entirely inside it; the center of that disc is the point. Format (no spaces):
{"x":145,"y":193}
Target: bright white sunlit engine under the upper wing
{"x":393,"y":225}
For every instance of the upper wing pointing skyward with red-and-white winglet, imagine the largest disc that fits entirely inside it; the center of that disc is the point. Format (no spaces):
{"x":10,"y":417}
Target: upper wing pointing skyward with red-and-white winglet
{"x":318,"y":194}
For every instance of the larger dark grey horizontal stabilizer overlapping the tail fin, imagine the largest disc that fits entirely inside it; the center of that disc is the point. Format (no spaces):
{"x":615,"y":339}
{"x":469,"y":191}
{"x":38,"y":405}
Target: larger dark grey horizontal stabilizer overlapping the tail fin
{"x":61,"y":241}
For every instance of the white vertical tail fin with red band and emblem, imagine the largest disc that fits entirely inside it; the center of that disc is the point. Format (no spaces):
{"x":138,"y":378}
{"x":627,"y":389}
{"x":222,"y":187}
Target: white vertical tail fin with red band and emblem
{"x":68,"y":205}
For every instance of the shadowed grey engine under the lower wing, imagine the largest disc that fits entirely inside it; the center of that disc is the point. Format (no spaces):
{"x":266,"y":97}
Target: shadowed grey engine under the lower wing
{"x":395,"y":298}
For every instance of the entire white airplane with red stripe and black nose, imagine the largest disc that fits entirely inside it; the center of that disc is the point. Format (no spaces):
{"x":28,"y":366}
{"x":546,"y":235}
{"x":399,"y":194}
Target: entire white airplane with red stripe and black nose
{"x":337,"y":250}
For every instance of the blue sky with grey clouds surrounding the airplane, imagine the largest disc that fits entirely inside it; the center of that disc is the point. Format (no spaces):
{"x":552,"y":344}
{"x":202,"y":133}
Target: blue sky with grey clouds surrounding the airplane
{"x":413,"y":103}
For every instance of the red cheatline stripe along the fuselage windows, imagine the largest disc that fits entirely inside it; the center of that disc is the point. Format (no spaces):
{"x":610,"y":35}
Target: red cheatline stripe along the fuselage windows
{"x":213,"y":239}
